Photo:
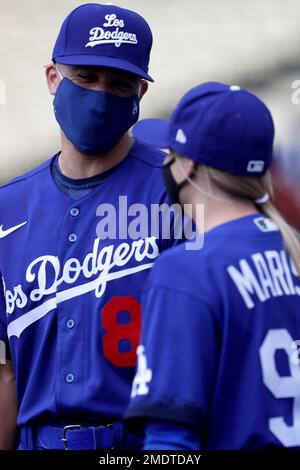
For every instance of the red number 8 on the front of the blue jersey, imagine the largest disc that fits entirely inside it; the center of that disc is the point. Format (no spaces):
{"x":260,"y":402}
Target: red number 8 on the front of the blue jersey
{"x":115,"y":331}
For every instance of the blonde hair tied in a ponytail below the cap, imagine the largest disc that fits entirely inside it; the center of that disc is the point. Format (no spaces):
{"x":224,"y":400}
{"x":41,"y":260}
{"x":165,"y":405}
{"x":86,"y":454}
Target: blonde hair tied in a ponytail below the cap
{"x":255,"y":187}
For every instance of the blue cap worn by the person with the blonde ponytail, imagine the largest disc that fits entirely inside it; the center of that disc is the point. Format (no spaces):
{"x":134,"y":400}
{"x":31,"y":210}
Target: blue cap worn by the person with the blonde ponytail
{"x":222,"y":126}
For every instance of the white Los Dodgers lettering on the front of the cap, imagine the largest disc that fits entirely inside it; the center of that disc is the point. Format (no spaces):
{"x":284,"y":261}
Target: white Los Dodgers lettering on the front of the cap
{"x":111,"y":33}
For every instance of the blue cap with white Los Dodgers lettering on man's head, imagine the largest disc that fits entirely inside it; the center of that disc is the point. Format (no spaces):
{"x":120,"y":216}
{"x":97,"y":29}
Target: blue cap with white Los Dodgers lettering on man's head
{"x":106,"y":36}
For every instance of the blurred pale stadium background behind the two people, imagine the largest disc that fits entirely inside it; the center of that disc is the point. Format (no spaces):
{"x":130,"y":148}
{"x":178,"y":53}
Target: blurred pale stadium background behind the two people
{"x":252,"y":43}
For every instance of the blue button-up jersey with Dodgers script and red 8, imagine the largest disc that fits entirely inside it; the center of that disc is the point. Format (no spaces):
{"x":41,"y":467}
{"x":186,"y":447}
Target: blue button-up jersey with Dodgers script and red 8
{"x":70,"y":298}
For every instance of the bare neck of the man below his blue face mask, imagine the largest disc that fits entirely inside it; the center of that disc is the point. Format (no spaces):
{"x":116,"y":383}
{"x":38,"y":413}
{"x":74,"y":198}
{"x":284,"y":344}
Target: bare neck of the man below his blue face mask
{"x":77,"y":165}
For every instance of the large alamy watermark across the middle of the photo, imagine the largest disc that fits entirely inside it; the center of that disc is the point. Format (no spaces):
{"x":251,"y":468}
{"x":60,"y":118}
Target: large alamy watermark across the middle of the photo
{"x":162,"y":221}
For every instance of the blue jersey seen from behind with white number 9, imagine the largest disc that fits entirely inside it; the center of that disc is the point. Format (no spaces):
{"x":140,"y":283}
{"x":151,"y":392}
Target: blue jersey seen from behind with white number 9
{"x":219,"y":349}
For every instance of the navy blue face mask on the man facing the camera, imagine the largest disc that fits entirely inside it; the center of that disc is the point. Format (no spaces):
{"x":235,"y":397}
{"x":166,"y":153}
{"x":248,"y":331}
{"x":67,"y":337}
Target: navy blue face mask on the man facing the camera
{"x":94,"y":121}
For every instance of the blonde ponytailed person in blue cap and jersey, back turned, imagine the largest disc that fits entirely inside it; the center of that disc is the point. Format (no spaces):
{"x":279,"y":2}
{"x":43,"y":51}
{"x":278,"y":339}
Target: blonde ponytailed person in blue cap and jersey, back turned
{"x":219,"y":355}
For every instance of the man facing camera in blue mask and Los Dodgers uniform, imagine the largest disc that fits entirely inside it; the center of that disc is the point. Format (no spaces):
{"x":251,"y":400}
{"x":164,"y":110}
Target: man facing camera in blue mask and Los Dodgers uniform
{"x":71,"y":269}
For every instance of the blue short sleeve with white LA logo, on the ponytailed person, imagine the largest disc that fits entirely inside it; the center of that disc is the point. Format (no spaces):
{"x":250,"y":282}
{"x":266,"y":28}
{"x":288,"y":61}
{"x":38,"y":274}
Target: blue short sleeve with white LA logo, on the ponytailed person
{"x":177,"y":359}
